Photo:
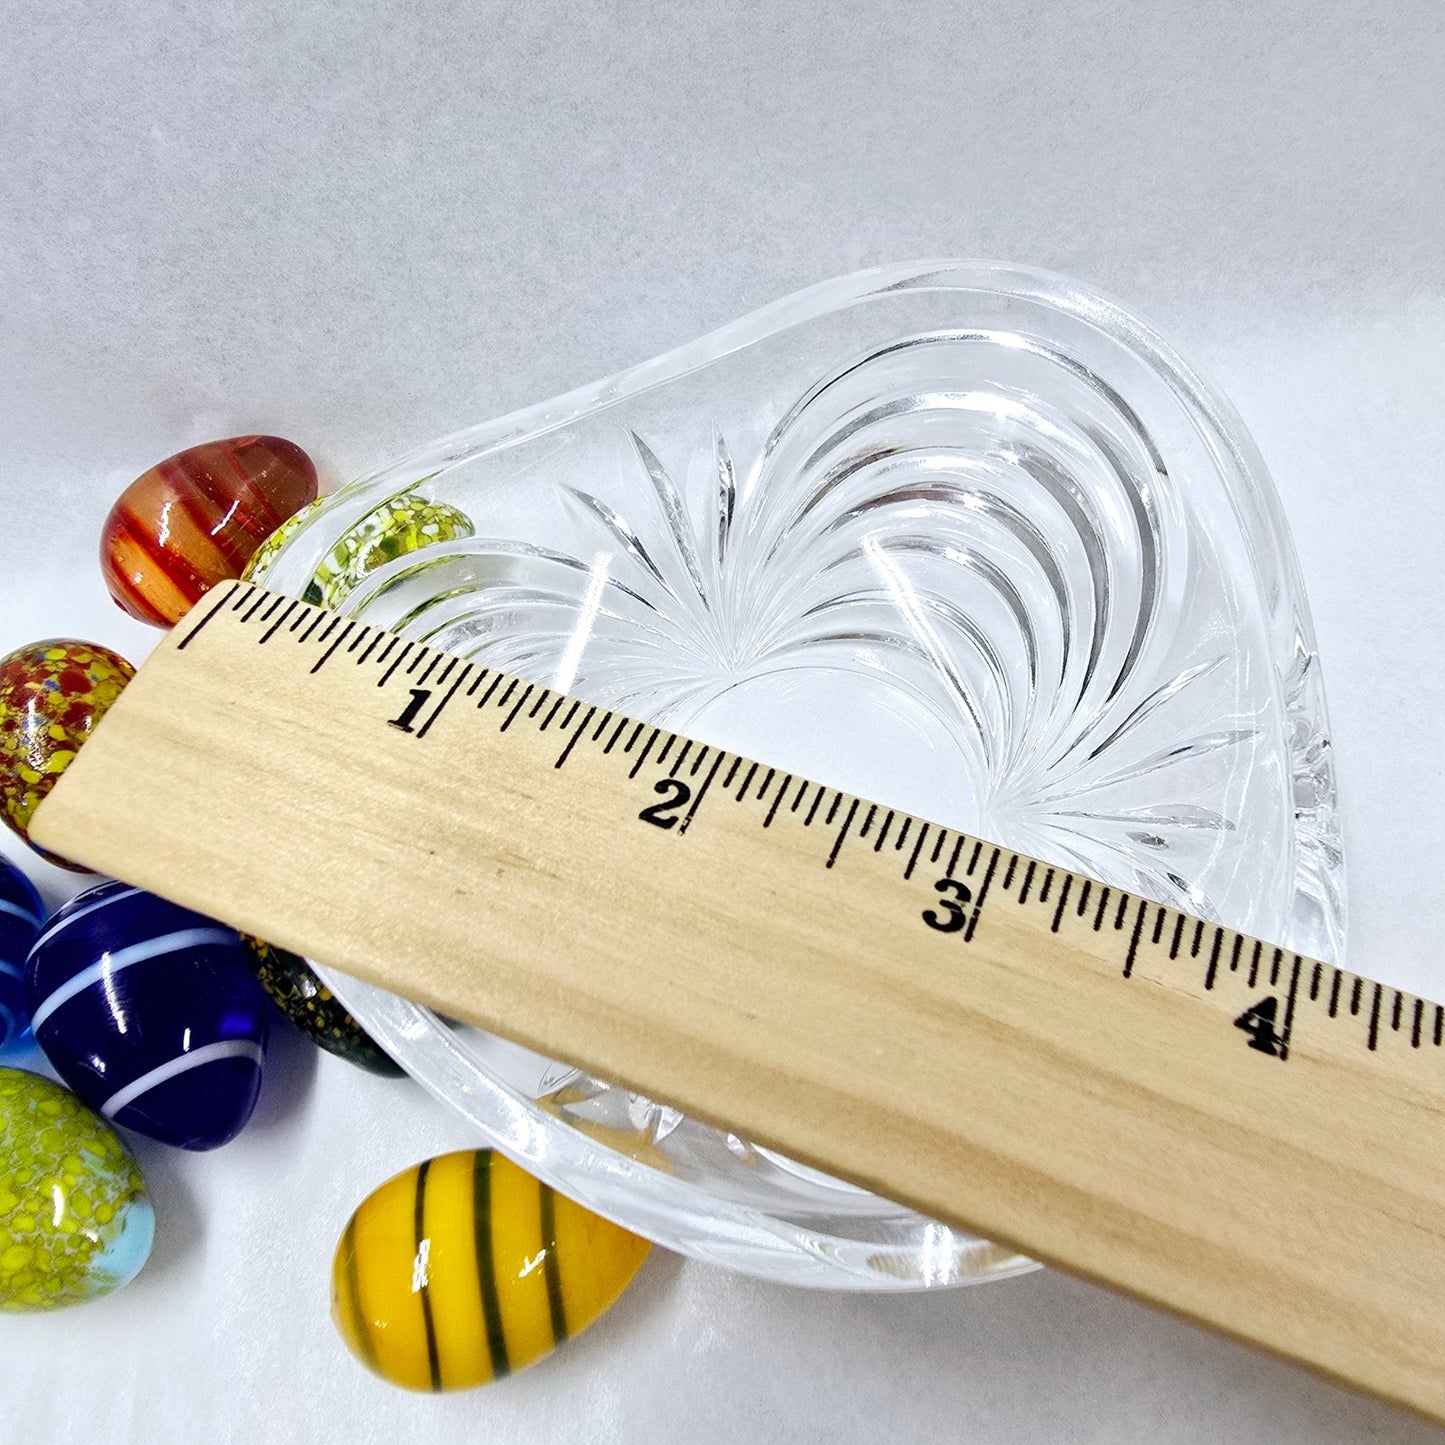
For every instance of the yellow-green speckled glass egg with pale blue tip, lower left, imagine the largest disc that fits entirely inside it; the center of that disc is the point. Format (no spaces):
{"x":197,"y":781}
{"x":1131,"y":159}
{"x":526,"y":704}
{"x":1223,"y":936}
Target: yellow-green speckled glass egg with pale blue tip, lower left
{"x":76,"y":1222}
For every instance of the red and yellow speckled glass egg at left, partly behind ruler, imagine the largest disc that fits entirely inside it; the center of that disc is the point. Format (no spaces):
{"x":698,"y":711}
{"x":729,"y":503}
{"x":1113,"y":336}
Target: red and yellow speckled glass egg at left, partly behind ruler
{"x":51,"y":697}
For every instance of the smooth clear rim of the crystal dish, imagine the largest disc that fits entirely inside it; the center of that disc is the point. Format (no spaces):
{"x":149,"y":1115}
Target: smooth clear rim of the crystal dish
{"x":638,"y":1196}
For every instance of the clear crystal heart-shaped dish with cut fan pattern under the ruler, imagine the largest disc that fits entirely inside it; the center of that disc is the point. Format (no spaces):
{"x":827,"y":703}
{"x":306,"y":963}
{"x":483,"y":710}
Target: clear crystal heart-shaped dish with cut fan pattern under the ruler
{"x":963,"y":538}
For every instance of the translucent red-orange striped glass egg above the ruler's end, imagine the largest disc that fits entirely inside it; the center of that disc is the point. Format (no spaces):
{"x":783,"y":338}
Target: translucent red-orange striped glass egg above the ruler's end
{"x":196,"y":519}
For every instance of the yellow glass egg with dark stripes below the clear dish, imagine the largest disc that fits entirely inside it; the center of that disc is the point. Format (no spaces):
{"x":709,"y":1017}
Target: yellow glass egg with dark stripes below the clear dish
{"x":466,"y":1269}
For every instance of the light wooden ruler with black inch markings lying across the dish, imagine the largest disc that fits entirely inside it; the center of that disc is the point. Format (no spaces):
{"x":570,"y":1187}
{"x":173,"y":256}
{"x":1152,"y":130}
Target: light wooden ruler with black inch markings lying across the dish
{"x":1229,"y":1131}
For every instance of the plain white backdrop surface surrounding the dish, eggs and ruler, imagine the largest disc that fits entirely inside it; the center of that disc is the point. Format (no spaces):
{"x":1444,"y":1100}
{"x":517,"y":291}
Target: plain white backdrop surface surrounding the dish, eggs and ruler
{"x":366,"y":226}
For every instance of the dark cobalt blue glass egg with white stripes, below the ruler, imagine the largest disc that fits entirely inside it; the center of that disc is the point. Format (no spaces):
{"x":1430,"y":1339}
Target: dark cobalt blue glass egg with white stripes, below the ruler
{"x":151,"y":1014}
